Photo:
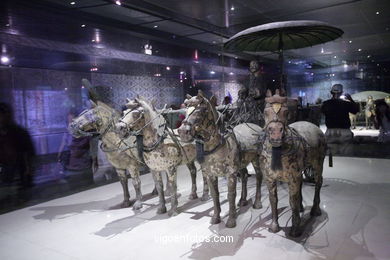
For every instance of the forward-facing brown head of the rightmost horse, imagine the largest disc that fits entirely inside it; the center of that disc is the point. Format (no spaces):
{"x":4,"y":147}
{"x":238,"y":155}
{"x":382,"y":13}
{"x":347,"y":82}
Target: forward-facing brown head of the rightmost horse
{"x":275,"y":115}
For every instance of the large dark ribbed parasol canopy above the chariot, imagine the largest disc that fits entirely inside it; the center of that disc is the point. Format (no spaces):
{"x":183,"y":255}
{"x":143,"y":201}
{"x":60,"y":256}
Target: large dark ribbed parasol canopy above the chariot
{"x":279,"y":36}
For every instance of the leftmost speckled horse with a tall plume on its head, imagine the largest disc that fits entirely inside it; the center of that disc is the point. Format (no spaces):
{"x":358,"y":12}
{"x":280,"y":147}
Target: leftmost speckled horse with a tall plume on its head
{"x":122,"y":154}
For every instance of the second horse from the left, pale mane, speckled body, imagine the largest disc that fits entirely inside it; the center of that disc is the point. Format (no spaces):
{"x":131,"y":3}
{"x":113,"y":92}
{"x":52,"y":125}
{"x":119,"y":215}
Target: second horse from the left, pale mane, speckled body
{"x":162,"y":150}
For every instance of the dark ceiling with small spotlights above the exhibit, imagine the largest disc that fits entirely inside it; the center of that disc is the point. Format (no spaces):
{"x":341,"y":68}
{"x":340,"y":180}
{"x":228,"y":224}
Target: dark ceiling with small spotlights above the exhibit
{"x":206,"y":24}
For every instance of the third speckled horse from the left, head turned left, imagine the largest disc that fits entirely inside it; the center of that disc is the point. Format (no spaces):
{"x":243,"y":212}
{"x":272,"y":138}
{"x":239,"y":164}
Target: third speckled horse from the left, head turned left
{"x":222,"y":154}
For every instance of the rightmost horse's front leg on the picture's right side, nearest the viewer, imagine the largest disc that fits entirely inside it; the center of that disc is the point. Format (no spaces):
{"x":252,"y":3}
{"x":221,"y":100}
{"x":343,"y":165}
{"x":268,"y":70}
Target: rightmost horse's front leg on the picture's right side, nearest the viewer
{"x":295,"y":202}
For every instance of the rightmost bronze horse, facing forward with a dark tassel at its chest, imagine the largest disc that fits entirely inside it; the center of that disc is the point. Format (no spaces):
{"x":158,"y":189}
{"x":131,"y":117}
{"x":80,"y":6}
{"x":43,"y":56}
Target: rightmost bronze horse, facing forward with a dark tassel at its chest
{"x":286,"y":151}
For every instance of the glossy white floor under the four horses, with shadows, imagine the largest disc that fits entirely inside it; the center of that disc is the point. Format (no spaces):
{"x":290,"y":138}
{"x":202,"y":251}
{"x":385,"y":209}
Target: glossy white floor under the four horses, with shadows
{"x":355,"y":223}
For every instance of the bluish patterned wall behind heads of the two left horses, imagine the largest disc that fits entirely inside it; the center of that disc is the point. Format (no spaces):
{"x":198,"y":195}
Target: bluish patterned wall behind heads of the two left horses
{"x":116,"y":88}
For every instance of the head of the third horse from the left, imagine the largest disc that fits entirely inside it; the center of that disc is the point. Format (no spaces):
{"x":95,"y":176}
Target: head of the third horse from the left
{"x":200,"y":119}
